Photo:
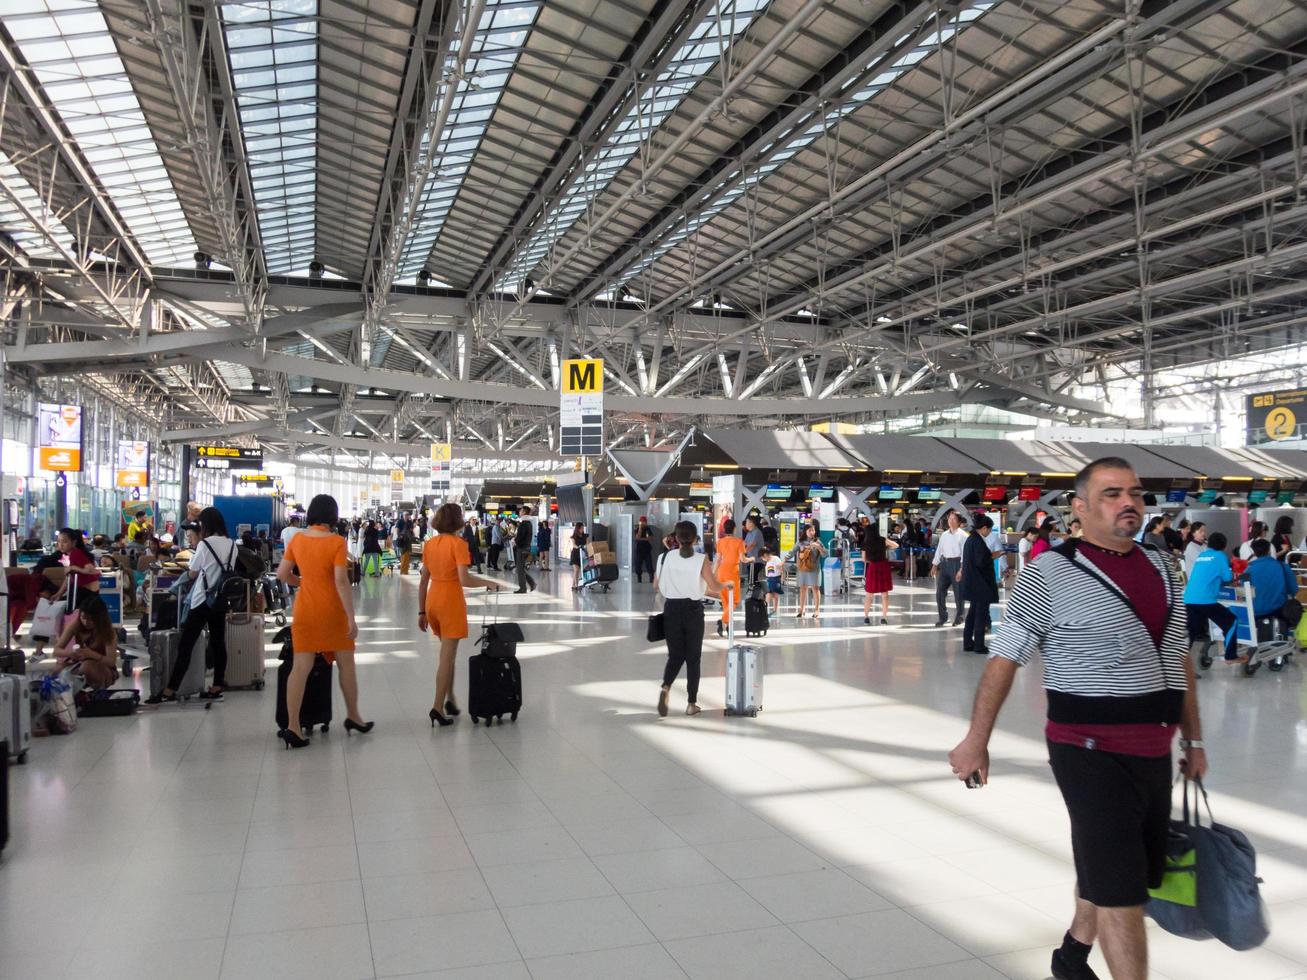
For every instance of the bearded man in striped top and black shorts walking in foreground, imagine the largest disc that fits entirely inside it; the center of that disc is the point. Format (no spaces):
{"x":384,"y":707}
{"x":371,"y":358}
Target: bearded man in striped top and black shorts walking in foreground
{"x":1109,"y":620}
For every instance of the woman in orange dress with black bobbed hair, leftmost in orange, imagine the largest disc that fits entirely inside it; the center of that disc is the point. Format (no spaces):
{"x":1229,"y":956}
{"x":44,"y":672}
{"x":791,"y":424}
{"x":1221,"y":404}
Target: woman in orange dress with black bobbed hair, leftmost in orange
{"x":323,"y":619}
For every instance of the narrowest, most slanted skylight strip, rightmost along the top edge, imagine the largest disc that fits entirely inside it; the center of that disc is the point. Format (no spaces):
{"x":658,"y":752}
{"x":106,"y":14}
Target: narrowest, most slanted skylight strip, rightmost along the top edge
{"x":804,"y":138}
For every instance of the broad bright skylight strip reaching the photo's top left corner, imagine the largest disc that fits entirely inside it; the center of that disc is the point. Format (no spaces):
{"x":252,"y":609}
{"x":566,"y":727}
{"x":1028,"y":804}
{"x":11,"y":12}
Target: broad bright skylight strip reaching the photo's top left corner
{"x":75,"y":61}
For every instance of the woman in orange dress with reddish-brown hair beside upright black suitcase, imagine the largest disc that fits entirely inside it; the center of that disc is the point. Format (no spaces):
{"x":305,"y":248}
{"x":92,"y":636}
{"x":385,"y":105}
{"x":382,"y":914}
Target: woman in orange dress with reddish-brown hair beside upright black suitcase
{"x":442,"y":606}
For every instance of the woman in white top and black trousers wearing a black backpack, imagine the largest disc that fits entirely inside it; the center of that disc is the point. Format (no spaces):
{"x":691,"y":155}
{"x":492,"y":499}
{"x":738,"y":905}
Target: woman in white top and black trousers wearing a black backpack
{"x":215,"y":553}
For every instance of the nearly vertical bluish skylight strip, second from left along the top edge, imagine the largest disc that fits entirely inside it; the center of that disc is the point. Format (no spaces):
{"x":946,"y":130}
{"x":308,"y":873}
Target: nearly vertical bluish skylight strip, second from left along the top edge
{"x":273,"y":46}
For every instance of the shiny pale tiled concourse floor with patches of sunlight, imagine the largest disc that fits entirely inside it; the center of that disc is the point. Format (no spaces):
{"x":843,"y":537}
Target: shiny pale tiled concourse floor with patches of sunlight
{"x":591,"y":840}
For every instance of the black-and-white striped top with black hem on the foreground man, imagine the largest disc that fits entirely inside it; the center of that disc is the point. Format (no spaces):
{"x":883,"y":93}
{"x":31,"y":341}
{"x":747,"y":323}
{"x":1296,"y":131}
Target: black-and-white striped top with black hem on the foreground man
{"x":1101,"y":664}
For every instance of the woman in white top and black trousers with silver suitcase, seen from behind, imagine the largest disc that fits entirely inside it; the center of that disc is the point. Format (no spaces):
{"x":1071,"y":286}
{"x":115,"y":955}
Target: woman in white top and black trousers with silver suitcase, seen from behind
{"x":684,"y":578}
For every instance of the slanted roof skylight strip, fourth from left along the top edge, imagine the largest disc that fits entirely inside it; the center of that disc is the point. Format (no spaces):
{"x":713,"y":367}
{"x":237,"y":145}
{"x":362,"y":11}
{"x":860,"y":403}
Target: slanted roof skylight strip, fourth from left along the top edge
{"x":688,"y":66}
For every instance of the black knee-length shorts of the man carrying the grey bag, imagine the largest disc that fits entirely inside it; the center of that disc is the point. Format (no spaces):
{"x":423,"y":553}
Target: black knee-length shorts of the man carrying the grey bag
{"x":1119,"y":807}
